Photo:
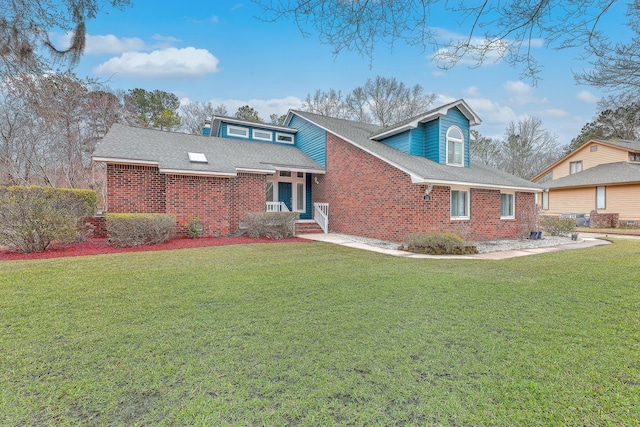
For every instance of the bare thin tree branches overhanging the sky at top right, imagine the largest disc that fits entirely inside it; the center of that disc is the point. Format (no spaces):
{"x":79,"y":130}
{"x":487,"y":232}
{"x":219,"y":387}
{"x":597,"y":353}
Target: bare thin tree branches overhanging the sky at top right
{"x":488,"y":31}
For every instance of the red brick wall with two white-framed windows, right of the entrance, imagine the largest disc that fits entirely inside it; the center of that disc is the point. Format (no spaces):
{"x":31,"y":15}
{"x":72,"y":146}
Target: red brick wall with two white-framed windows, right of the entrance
{"x":368,"y":197}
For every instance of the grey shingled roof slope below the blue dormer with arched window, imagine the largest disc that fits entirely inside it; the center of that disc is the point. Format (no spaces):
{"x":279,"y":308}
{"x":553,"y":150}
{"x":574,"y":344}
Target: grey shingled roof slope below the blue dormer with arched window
{"x":421,"y":169}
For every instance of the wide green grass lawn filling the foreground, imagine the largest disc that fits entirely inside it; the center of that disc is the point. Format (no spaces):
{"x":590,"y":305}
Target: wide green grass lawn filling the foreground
{"x":314,"y":334}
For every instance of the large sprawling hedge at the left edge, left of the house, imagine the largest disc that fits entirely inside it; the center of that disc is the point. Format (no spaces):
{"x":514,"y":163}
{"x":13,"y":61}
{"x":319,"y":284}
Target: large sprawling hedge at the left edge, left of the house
{"x":31,"y":218}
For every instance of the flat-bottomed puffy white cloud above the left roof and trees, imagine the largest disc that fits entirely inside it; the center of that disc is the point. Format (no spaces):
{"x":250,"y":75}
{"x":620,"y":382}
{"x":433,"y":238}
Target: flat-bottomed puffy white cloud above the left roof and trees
{"x":166,"y":63}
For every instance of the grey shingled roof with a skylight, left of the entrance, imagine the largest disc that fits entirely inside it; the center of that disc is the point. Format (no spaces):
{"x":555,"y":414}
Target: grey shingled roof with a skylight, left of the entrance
{"x":225,"y":157}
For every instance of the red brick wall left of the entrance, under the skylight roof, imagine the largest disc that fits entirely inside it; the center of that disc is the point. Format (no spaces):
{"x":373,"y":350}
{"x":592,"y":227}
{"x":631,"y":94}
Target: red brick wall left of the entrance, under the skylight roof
{"x":220,"y":203}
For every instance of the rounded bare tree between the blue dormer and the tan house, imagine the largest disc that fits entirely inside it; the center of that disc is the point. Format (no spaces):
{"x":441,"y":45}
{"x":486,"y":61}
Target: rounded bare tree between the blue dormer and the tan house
{"x":527,"y":148}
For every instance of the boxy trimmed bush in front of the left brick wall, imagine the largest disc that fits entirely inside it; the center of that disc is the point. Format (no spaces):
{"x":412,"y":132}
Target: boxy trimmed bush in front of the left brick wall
{"x":135,"y":229}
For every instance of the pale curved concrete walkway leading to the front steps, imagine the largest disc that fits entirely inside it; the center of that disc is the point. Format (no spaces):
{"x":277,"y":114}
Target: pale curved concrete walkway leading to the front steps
{"x":583,"y":242}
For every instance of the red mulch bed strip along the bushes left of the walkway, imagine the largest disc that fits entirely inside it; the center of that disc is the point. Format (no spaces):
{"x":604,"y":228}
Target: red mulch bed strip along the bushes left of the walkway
{"x":98,"y":246}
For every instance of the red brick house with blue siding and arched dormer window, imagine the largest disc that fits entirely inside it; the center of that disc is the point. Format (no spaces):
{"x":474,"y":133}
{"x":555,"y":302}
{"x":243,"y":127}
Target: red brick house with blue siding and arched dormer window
{"x":360,"y":179}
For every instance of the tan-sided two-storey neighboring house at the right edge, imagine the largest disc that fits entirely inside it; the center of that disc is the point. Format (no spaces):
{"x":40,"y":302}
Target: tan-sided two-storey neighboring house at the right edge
{"x":600,"y":175}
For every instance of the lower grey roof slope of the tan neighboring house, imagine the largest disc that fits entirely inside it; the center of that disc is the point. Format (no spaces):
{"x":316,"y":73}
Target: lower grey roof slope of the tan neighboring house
{"x":605,"y":174}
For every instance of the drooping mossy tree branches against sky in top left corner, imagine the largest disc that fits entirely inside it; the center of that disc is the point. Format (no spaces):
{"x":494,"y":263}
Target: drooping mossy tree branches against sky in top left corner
{"x":24,"y":31}
